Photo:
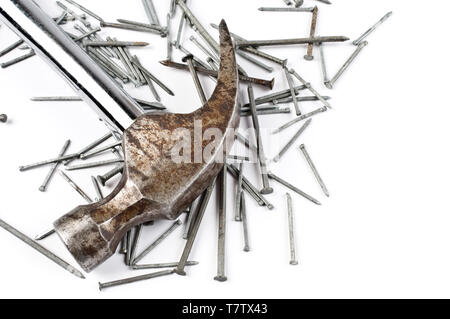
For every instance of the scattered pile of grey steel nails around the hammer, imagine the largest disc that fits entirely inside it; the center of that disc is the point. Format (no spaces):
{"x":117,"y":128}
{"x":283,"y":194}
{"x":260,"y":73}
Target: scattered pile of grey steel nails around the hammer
{"x":115,"y":58}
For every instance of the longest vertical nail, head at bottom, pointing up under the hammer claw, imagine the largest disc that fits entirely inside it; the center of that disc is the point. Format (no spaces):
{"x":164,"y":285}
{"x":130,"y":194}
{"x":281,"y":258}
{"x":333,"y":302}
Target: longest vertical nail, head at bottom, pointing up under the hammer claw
{"x":222,"y":227}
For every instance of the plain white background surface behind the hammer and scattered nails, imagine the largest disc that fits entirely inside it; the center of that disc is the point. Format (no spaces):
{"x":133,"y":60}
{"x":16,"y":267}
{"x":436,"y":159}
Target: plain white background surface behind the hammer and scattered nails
{"x":382,"y":152}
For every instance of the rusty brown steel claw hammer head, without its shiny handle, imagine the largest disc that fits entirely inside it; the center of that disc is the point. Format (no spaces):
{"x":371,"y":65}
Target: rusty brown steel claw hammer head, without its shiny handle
{"x":153,"y":186}
